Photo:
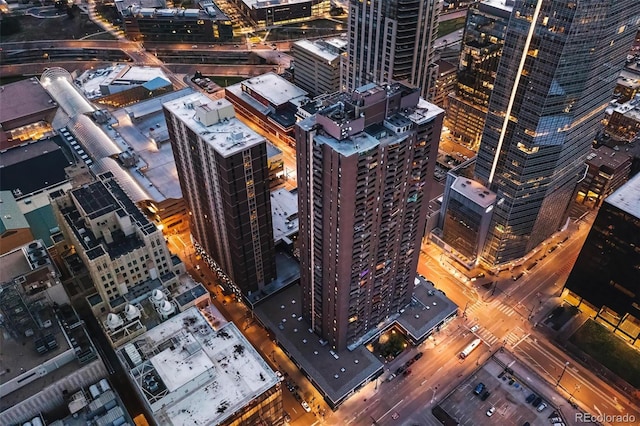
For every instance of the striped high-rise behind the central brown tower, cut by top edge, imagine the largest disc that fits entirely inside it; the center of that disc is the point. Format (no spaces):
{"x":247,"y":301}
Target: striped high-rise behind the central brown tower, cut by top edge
{"x":392,"y":41}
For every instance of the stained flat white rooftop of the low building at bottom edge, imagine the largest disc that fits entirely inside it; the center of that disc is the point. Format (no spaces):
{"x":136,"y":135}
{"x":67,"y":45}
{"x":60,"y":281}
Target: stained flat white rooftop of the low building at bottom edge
{"x":209,"y":372}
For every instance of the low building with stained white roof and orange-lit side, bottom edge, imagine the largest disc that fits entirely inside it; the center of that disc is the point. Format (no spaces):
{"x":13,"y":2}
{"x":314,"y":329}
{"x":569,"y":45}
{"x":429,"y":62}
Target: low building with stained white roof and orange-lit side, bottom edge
{"x":196,"y":368}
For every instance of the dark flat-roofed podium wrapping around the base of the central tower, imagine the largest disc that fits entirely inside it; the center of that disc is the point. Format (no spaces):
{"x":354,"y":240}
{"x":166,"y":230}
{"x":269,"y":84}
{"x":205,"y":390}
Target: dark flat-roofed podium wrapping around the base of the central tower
{"x":337,"y":375}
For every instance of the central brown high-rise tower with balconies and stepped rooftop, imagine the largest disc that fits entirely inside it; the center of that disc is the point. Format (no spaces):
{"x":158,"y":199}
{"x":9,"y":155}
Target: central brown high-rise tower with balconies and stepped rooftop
{"x":365,"y":162}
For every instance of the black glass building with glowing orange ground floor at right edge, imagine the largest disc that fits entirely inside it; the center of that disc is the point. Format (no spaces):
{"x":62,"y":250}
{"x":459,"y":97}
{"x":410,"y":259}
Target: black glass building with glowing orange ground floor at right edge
{"x":605,"y":280}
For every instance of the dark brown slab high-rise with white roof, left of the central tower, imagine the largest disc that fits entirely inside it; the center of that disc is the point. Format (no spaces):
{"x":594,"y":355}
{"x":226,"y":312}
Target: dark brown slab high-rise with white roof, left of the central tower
{"x":222,"y":167}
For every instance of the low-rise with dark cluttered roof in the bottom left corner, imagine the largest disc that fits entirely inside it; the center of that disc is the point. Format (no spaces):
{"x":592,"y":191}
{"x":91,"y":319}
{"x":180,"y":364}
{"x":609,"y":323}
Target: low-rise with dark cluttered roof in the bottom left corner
{"x":45,"y":347}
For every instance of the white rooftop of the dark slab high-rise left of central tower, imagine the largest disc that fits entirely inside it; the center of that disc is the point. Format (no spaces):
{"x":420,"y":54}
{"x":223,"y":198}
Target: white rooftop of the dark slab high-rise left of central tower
{"x":227,"y":136}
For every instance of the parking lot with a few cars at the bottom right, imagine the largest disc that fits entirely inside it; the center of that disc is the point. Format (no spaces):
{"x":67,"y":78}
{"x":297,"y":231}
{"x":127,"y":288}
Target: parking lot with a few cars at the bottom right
{"x":494,"y":395}
